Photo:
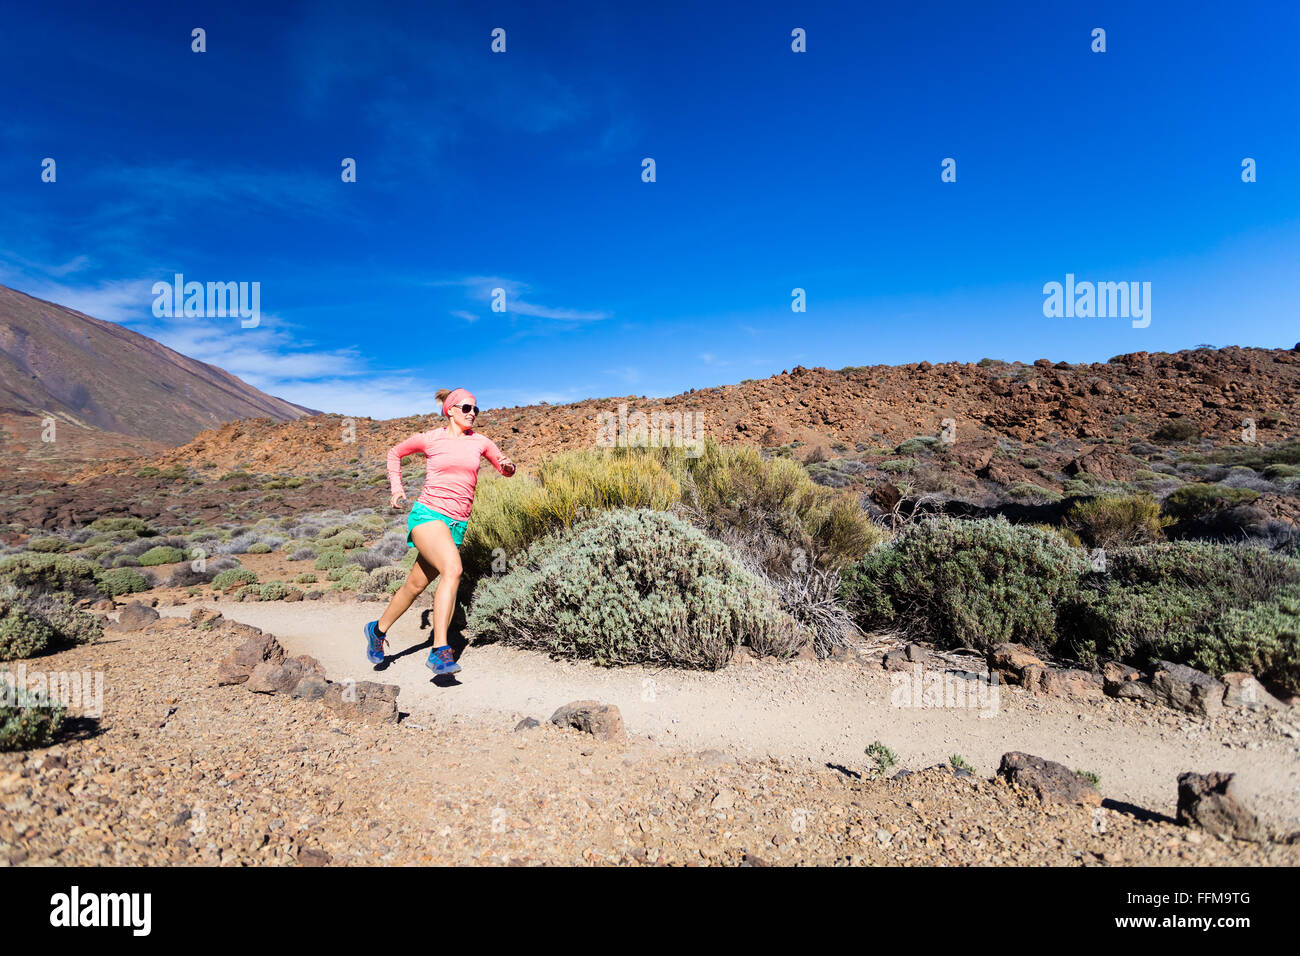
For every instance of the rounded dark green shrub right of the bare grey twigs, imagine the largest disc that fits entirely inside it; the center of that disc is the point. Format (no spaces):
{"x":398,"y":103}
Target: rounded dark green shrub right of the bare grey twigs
{"x":968,"y":583}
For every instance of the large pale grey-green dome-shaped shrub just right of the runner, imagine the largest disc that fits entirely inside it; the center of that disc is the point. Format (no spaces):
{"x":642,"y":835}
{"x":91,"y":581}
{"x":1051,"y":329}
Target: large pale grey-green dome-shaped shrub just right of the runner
{"x":634,"y":586}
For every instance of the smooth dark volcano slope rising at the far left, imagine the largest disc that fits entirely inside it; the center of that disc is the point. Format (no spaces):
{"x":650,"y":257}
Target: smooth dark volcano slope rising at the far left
{"x":110,"y":391}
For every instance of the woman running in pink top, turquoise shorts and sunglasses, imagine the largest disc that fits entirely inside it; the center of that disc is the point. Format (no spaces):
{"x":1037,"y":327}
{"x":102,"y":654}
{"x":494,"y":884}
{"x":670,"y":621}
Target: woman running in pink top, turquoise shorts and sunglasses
{"x":439,"y":520}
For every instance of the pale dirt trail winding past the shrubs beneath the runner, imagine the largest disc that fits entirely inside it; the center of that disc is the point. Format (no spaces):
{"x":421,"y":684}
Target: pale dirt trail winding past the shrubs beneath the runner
{"x":817,"y":711}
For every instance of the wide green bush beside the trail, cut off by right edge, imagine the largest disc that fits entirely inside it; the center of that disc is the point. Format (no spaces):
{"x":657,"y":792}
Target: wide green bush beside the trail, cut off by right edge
{"x":1214,"y":607}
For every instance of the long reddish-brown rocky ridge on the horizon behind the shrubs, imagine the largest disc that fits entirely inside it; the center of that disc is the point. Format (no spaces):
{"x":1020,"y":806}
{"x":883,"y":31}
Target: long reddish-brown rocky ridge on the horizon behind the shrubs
{"x":824,"y":413}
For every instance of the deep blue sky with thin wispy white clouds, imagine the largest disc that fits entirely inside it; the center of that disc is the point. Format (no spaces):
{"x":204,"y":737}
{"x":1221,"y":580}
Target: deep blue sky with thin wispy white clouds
{"x":775,"y":170}
